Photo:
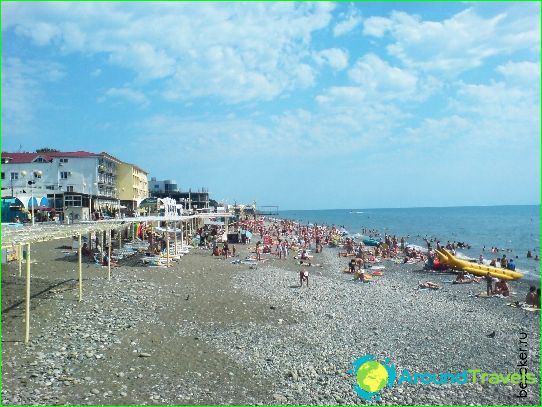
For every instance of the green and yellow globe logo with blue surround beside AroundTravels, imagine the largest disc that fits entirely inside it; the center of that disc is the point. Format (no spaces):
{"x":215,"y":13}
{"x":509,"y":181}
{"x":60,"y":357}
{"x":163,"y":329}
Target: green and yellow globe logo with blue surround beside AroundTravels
{"x":372,"y":376}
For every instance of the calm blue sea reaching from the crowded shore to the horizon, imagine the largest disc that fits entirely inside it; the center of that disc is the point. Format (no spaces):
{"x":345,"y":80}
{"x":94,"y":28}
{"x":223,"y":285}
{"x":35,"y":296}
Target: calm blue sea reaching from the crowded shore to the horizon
{"x":507,"y":227}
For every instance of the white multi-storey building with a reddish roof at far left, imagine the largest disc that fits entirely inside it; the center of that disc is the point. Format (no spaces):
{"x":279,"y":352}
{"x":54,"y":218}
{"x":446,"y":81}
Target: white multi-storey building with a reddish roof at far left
{"x":62,"y":179}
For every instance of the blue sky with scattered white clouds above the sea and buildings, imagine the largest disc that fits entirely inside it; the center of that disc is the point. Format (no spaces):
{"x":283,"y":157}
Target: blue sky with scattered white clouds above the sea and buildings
{"x":301,"y":105}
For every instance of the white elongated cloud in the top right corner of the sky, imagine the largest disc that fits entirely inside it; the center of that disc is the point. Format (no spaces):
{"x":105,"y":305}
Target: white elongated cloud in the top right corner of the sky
{"x":459,"y":43}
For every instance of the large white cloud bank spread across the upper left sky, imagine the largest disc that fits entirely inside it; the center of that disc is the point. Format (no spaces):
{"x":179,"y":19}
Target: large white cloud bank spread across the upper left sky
{"x":230,"y":51}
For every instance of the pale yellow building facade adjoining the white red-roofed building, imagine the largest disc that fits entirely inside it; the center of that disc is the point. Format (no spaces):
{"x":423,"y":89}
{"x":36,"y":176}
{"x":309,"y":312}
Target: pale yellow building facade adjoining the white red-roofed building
{"x":133,"y":186}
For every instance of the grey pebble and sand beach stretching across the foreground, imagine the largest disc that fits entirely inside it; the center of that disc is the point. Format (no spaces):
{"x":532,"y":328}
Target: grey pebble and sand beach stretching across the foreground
{"x":206,"y":331}
